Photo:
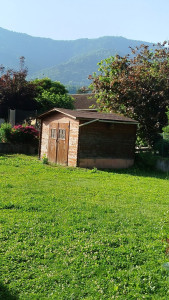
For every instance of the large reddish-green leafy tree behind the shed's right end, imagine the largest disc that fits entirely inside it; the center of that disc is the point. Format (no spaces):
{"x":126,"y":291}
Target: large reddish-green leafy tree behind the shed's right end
{"x":136,"y":85}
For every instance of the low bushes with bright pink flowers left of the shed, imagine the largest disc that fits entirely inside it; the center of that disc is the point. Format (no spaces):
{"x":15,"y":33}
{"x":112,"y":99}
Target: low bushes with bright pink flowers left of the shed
{"x":19,"y":134}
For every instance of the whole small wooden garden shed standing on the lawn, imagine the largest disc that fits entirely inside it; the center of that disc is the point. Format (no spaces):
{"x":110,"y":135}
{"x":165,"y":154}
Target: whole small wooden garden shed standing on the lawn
{"x":87,"y":139}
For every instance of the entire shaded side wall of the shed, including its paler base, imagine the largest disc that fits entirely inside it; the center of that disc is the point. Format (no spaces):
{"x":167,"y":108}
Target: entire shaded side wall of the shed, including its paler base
{"x":106,"y":145}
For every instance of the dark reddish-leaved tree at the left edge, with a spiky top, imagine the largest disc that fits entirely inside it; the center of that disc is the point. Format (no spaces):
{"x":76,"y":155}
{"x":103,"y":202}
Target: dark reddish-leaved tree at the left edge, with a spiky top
{"x":15,"y":91}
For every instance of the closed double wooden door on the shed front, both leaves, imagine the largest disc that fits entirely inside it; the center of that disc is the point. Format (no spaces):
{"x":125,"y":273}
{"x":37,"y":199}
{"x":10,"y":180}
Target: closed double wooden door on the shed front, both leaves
{"x":58,"y":143}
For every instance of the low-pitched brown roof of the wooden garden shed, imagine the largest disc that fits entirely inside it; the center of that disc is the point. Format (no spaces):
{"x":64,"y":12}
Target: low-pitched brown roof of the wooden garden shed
{"x":88,"y":115}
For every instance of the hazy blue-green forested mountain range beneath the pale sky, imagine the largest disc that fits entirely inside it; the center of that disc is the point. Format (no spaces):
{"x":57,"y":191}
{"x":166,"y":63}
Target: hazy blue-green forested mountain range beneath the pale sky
{"x":69,"y":62}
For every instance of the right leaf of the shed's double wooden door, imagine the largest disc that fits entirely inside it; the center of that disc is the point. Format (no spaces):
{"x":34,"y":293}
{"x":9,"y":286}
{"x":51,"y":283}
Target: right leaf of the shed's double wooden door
{"x":62,"y":143}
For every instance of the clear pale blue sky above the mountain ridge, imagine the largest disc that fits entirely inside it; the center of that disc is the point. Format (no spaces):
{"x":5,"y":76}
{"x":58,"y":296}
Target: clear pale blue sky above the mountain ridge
{"x":145,"y":20}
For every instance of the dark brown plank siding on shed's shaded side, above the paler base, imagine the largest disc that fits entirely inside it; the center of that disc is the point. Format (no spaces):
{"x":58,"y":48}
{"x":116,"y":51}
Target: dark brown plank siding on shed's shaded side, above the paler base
{"x":107,"y":140}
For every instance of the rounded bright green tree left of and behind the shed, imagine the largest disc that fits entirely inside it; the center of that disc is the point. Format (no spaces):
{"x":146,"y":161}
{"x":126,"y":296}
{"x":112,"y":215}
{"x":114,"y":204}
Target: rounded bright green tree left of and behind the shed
{"x":51,"y":94}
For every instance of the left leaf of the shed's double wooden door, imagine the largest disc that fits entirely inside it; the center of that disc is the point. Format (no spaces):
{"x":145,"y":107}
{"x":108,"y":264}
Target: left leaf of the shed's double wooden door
{"x":52,"y":143}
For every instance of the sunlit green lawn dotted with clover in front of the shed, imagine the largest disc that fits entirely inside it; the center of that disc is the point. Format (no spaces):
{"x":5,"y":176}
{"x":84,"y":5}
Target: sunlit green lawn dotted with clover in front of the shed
{"x":71,"y":233}
